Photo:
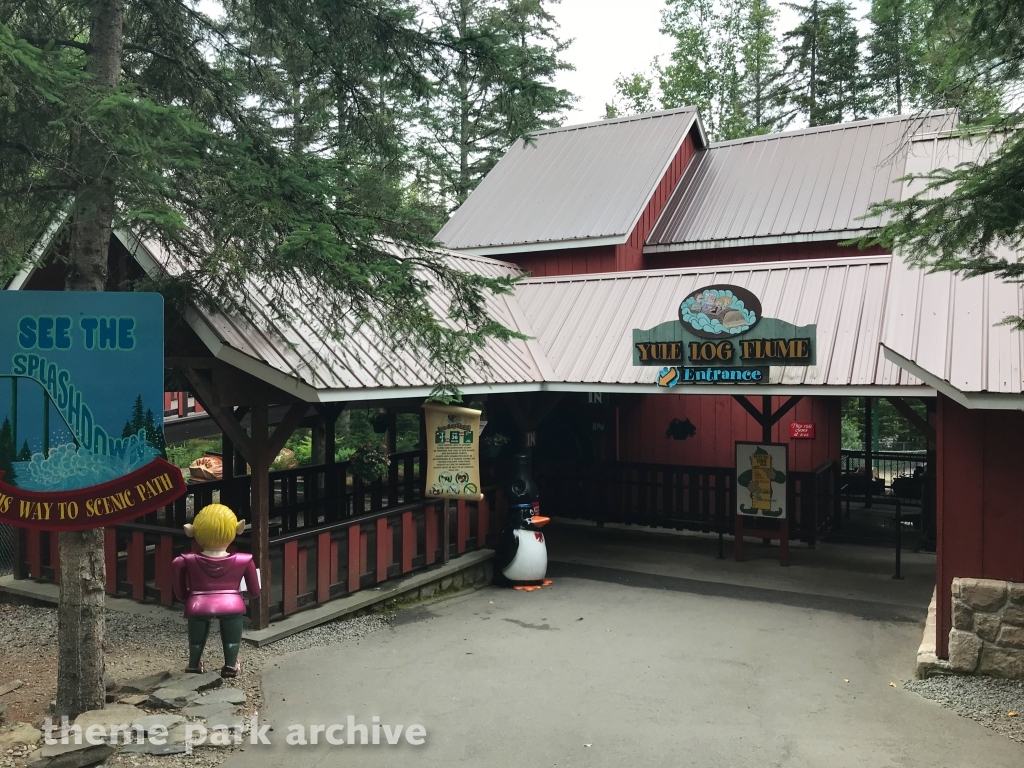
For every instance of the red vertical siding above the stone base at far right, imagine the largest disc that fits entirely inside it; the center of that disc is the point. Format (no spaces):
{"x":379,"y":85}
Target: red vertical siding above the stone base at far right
{"x":980,"y":514}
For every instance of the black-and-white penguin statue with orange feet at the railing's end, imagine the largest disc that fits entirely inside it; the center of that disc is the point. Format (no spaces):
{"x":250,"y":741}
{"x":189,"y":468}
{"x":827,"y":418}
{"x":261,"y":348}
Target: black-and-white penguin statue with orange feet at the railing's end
{"x":522,"y":557}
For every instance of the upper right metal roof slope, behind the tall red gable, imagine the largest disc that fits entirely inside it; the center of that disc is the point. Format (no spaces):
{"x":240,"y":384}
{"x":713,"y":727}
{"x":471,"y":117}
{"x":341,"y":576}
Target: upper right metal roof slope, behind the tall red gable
{"x":797,"y":186}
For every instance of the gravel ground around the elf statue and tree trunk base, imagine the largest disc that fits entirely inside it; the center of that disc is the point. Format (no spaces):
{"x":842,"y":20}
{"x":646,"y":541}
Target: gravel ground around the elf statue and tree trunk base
{"x":137,"y":647}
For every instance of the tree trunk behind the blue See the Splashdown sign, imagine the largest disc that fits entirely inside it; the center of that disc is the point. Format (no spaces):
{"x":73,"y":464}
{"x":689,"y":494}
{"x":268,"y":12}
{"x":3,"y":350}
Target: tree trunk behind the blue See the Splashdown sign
{"x":83,"y":572}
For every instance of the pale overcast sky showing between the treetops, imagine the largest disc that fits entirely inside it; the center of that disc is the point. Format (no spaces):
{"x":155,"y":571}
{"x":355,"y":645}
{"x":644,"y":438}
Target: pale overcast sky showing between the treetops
{"x":617,"y":37}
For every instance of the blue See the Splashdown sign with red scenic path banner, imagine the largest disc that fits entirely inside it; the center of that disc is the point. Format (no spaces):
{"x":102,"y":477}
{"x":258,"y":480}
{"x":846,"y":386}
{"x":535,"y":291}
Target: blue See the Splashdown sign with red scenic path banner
{"x":82,"y":402}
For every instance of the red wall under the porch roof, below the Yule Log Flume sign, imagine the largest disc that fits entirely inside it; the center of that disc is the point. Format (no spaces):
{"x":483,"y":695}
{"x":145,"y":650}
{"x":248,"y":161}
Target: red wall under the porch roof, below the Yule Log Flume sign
{"x":721,"y":421}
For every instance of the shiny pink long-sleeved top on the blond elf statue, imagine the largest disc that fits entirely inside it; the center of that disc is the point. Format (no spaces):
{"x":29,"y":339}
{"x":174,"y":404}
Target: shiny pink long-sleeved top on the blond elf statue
{"x":209,"y":586}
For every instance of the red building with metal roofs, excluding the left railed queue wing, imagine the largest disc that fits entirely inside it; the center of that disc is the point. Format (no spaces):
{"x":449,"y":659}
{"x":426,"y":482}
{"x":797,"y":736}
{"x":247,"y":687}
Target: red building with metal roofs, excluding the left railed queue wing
{"x":651,"y":197}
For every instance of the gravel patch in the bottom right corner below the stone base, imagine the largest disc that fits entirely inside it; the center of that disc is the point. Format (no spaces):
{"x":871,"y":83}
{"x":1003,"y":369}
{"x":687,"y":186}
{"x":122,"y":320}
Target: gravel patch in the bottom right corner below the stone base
{"x":983,"y":699}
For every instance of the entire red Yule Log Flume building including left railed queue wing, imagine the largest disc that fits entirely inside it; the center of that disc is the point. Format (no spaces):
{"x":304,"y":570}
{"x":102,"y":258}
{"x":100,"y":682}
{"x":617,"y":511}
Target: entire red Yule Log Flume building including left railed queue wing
{"x":611,"y":225}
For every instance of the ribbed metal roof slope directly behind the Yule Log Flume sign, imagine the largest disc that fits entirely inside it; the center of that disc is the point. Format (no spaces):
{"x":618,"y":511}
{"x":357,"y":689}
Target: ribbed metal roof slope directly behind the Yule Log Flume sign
{"x":585,"y":323}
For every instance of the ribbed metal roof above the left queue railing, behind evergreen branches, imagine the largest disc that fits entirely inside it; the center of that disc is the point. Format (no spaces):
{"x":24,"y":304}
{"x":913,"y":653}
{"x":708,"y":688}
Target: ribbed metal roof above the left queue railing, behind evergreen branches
{"x":300,"y":350}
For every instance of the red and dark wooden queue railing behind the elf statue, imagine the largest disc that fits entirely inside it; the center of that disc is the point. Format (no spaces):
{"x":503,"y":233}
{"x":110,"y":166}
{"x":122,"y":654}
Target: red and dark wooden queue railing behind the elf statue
{"x":324,"y":544}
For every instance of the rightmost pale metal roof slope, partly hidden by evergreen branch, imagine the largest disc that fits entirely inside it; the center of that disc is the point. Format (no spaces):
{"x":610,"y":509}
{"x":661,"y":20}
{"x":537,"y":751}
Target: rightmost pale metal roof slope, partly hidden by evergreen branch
{"x":945,"y":328}
